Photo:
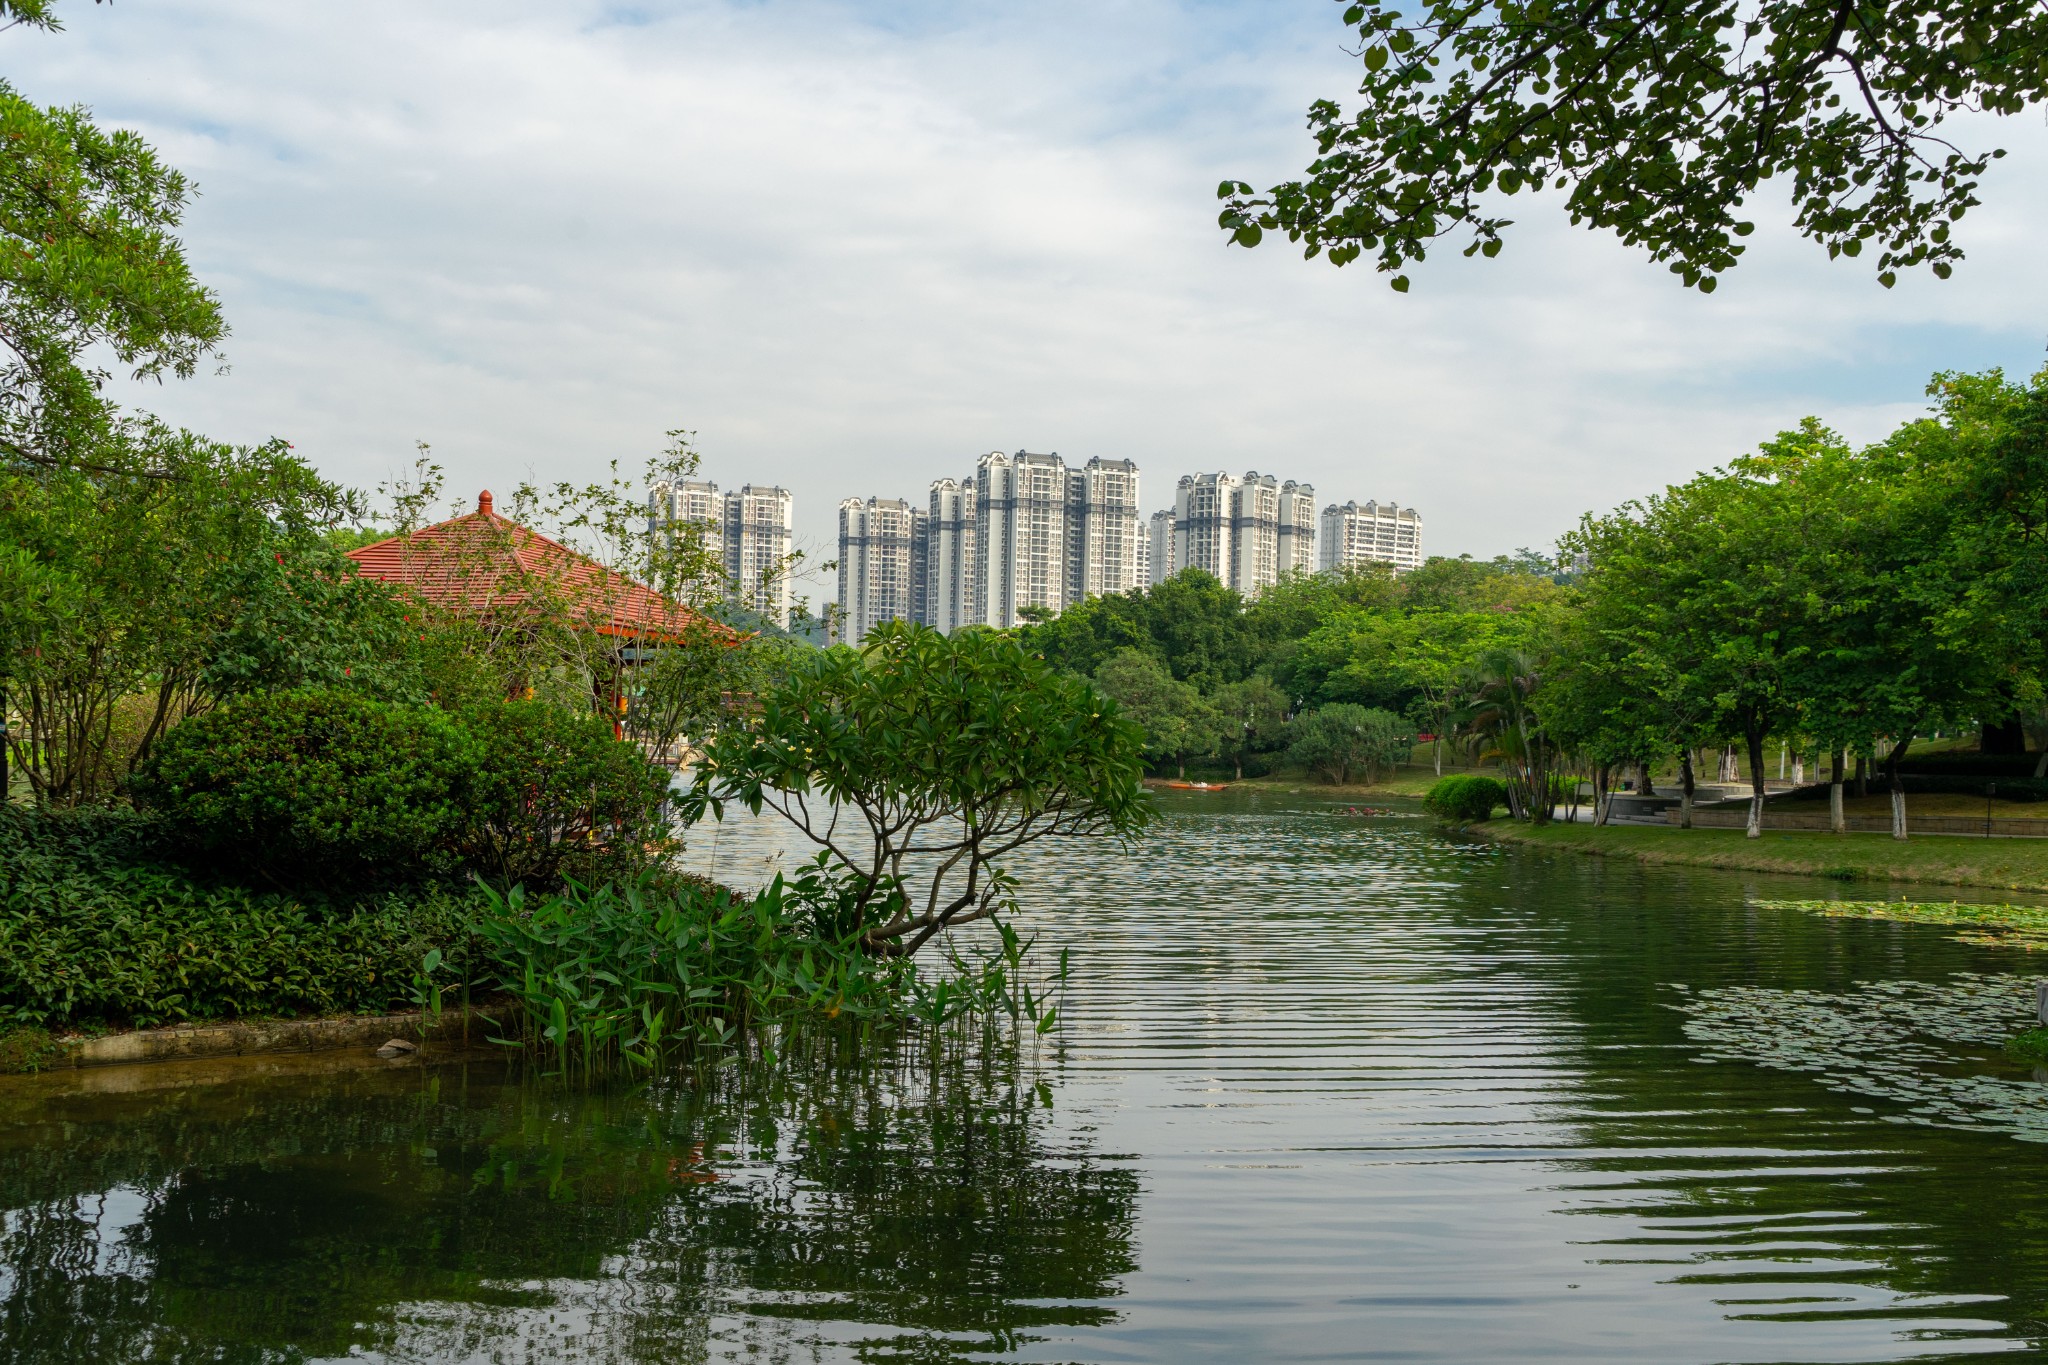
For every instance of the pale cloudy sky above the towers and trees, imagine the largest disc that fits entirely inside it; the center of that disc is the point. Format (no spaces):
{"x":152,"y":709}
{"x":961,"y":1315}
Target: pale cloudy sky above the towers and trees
{"x":857,"y":245}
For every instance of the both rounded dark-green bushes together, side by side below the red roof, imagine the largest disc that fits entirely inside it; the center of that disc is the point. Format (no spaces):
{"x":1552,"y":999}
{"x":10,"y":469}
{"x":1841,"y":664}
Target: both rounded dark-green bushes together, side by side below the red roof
{"x":331,"y":789}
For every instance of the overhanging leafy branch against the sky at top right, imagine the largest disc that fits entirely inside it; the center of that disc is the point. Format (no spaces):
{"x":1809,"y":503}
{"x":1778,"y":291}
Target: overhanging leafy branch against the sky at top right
{"x":1660,"y":124}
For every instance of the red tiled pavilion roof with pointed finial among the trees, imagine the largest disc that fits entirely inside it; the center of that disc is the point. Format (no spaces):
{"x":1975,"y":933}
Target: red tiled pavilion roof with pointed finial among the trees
{"x":484,"y":562}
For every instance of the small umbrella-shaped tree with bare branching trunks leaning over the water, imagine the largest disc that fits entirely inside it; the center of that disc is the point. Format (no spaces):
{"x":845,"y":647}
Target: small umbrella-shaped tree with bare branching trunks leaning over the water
{"x":927,"y":758}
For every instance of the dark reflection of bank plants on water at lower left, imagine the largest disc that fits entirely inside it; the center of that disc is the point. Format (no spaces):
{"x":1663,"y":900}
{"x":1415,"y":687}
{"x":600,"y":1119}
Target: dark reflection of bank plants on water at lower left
{"x":851,"y":1196}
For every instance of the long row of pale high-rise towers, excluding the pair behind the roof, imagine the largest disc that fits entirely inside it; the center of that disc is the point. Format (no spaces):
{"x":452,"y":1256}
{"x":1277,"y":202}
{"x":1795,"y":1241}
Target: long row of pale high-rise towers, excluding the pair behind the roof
{"x":1025,"y":531}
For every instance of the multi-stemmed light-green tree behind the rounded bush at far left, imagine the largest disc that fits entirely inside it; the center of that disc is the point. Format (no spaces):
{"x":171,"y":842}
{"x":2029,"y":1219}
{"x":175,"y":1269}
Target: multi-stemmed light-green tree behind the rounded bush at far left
{"x":132,"y":601}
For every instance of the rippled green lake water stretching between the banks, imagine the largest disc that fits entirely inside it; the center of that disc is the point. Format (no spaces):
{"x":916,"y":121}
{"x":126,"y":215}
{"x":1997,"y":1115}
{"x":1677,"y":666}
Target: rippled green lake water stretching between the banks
{"x":1334,"y":1088}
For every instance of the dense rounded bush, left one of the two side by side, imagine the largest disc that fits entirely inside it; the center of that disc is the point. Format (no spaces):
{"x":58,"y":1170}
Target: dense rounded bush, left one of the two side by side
{"x":316,"y":789}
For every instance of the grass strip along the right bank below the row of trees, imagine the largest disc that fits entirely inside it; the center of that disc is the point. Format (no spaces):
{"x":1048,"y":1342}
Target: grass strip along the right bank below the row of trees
{"x":1953,"y":861}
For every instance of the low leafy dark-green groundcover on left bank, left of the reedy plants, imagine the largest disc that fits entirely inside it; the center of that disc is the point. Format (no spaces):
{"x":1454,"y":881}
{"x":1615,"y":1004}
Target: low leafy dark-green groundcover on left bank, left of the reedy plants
{"x":97,"y":930}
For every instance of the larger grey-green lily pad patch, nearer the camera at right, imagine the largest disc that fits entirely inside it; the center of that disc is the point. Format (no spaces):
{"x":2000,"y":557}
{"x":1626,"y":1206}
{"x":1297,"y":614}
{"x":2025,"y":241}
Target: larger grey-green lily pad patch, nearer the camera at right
{"x":1932,"y":1047}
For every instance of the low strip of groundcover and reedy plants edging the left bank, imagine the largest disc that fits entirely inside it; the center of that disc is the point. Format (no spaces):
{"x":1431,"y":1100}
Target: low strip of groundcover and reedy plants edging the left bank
{"x":101,"y":932}
